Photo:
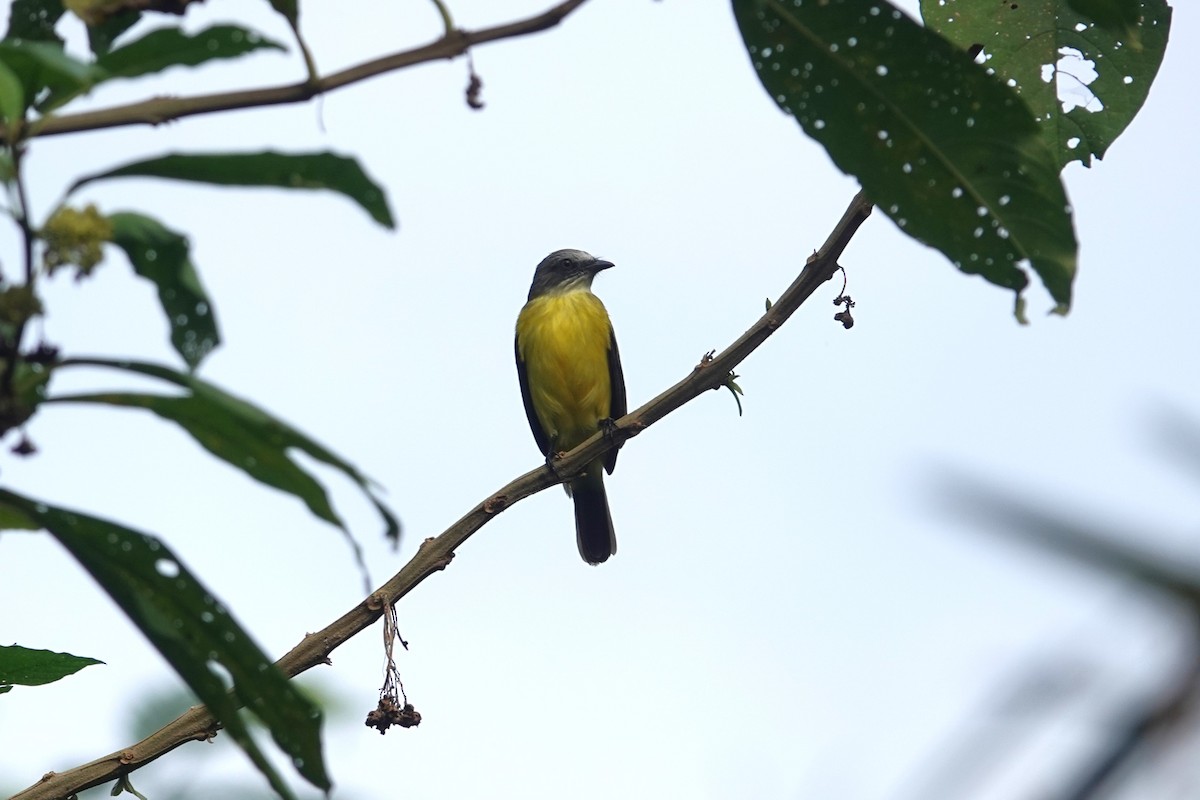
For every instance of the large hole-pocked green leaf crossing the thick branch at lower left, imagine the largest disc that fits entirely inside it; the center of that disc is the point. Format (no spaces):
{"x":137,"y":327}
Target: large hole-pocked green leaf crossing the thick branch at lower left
{"x":194,"y":633}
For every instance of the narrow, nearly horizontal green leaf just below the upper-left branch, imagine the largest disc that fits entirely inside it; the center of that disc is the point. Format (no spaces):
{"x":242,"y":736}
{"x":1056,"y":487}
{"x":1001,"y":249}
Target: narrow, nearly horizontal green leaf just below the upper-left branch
{"x":317,"y":171}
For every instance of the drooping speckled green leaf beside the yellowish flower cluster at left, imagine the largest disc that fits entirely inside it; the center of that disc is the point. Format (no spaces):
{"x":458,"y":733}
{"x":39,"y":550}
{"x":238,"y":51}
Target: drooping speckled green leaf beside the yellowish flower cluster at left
{"x":163,"y":257}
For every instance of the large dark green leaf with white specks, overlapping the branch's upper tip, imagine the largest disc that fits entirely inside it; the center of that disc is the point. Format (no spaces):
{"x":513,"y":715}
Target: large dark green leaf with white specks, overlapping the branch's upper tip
{"x":943,"y":148}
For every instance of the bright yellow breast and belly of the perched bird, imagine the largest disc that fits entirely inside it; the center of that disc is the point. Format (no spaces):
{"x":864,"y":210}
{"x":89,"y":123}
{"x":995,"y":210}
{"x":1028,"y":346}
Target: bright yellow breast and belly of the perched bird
{"x":563,"y":340}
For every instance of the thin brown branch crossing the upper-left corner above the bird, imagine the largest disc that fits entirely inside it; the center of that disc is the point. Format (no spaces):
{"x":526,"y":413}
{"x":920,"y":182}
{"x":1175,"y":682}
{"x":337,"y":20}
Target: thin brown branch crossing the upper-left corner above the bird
{"x":165,"y":110}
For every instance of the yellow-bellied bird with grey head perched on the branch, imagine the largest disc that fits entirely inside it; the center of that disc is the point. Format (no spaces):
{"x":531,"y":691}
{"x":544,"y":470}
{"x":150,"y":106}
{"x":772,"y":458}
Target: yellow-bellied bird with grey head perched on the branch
{"x":572,"y":383}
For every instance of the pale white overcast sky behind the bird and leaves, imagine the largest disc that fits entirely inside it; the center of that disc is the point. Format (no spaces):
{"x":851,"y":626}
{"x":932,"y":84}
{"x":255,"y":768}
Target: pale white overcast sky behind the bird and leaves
{"x":791,"y":613}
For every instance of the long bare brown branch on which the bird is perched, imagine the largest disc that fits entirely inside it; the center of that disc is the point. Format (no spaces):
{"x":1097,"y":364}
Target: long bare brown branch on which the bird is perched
{"x":435,"y":555}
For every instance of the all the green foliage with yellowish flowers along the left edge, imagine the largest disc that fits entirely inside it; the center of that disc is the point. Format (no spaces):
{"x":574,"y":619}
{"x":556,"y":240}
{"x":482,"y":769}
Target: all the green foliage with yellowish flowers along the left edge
{"x":215,"y":657}
